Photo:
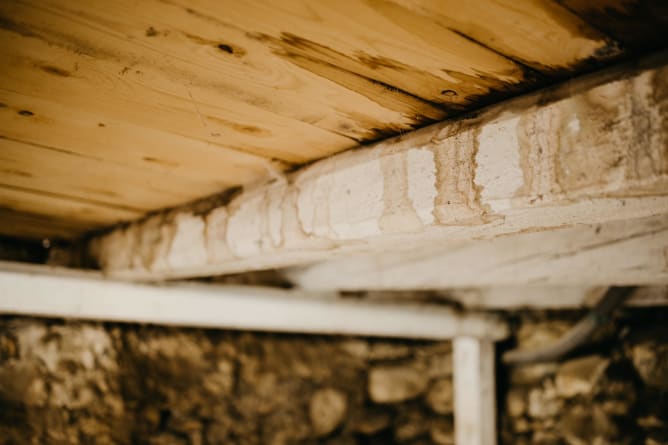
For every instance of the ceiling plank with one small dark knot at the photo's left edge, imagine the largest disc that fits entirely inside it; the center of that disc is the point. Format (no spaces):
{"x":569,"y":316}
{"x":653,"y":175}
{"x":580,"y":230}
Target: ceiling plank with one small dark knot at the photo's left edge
{"x":101,"y":136}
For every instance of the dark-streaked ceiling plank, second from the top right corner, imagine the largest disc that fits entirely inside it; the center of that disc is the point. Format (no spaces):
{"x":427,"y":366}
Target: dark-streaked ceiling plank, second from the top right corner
{"x":373,"y":41}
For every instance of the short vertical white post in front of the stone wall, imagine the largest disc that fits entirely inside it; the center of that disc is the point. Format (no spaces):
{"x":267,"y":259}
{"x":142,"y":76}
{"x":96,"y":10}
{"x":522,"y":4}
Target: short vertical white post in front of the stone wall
{"x":475,"y":398}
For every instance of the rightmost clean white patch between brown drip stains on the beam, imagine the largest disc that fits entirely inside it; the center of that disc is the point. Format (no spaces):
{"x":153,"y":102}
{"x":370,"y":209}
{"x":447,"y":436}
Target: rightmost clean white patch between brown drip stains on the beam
{"x":499,"y":173}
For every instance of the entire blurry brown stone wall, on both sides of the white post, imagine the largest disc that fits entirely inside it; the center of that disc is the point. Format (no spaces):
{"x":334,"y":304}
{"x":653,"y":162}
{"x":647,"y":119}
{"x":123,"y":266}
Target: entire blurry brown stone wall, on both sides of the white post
{"x":75,"y":382}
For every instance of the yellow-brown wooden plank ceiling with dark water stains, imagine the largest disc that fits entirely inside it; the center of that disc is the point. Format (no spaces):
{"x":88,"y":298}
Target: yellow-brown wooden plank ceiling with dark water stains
{"x":112,"y":109}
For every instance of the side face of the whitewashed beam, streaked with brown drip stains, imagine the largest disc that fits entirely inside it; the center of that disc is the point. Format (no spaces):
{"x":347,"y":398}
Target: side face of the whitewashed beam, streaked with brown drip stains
{"x":588,"y":152}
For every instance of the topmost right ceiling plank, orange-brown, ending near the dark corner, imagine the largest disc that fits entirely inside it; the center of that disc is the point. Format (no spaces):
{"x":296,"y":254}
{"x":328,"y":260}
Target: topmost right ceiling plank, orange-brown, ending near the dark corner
{"x":541,"y":34}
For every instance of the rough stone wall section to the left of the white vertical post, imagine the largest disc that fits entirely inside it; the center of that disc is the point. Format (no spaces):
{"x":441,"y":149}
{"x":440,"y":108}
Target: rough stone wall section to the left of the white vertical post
{"x":69,"y":383}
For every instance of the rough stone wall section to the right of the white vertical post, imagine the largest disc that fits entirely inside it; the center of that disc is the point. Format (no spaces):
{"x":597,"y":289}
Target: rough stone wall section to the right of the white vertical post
{"x":612,"y":392}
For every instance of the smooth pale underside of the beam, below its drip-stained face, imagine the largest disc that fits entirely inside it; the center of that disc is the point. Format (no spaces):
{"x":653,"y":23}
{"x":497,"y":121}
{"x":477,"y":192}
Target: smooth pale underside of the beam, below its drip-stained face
{"x":627,"y":252}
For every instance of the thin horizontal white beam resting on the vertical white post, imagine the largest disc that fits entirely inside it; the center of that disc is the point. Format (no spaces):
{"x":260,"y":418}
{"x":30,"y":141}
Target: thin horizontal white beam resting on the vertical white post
{"x":54,"y":294}
